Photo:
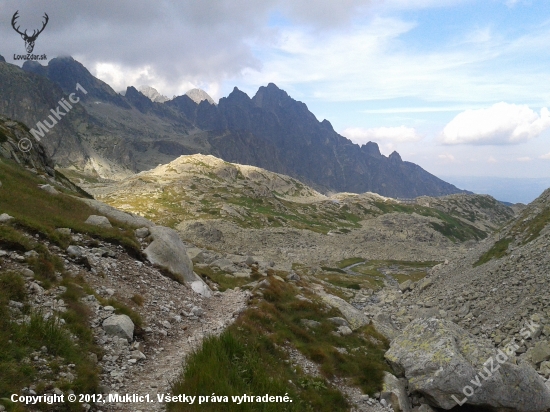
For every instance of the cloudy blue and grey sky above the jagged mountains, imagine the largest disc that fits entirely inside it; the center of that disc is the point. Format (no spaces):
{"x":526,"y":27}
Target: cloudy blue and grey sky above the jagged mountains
{"x":460,"y":87}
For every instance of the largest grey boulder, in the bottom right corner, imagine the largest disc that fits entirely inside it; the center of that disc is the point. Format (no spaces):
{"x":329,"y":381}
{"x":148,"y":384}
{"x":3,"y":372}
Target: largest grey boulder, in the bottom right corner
{"x":450,"y":366}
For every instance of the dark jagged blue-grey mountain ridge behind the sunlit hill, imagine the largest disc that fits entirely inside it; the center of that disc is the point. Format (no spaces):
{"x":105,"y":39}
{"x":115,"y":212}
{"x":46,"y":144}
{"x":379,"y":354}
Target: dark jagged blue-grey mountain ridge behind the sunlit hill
{"x":113,"y":136}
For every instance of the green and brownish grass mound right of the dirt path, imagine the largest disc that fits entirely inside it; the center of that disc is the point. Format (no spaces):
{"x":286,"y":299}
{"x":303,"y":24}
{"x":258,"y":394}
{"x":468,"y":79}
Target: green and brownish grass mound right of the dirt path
{"x":247,"y":357}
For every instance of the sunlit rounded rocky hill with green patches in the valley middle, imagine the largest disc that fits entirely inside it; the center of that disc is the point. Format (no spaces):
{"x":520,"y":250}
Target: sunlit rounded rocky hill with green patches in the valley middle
{"x":235,"y":208}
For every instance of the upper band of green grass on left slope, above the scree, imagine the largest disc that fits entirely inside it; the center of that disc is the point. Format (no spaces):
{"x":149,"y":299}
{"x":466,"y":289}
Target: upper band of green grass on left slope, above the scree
{"x":40,"y":212}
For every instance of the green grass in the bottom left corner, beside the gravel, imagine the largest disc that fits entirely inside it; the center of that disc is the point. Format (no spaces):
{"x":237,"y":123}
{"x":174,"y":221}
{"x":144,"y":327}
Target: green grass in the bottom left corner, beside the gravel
{"x":20,"y":342}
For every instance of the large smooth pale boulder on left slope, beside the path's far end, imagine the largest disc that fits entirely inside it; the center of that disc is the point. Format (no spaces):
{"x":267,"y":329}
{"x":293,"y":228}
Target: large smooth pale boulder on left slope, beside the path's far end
{"x":168,"y":251}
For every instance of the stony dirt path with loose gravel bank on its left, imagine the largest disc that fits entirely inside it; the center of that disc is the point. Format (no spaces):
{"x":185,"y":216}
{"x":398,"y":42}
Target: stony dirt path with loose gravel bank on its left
{"x":175,"y":321}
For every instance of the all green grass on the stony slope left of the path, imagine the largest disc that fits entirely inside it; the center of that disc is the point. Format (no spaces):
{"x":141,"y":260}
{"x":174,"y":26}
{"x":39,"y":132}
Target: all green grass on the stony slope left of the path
{"x":22,"y":335}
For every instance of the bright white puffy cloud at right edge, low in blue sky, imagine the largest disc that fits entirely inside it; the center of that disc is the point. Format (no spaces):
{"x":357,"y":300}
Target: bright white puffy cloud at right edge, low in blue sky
{"x":500,"y":124}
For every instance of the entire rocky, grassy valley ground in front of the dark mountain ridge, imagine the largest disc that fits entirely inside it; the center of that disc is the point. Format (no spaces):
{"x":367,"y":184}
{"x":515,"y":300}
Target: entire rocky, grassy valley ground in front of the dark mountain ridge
{"x":353,"y":302}
